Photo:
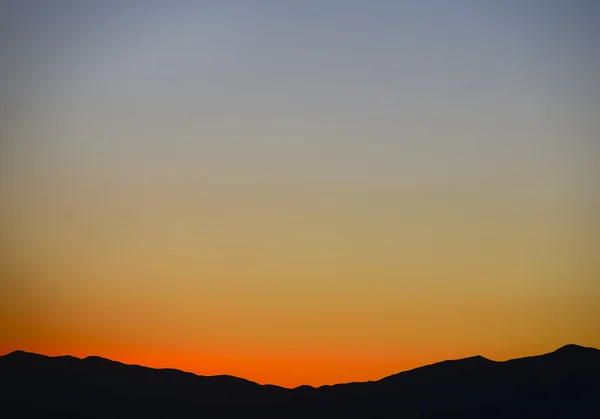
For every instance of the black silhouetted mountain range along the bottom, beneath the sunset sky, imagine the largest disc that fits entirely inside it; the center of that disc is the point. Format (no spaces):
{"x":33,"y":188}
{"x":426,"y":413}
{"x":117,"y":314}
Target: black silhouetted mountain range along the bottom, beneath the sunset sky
{"x":561,"y":384}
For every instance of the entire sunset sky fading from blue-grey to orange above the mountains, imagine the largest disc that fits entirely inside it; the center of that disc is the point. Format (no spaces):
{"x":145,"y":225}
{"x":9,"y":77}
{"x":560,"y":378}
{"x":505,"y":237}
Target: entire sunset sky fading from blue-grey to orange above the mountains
{"x":299,"y":192}
